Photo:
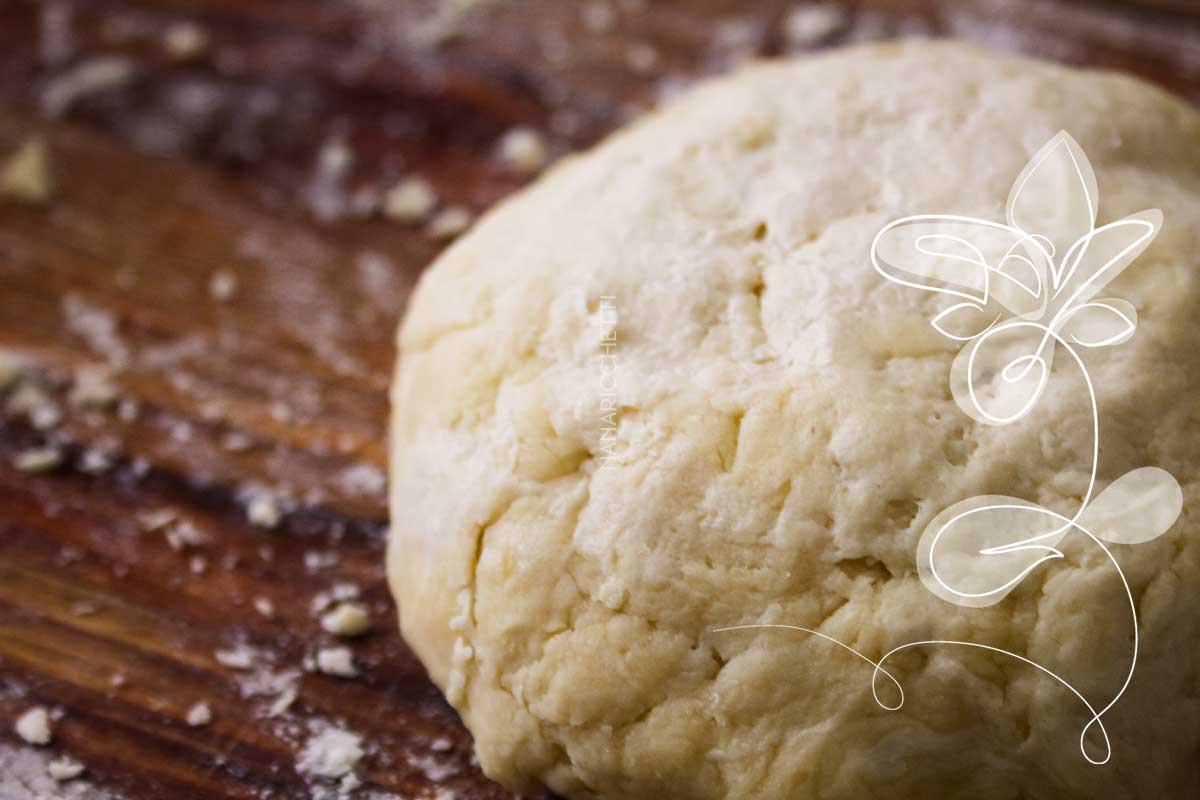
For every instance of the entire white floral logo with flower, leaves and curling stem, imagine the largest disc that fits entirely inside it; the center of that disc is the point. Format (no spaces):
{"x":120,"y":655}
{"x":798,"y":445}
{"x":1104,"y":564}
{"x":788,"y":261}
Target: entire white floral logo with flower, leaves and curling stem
{"x":1023,"y":290}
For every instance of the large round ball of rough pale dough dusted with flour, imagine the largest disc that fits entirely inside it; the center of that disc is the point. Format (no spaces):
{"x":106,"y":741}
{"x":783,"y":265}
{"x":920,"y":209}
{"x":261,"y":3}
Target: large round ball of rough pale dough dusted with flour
{"x":785,"y":434}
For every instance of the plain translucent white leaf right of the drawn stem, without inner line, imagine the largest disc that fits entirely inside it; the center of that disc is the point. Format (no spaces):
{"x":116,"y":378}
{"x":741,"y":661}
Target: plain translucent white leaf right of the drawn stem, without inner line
{"x":1137,"y":508}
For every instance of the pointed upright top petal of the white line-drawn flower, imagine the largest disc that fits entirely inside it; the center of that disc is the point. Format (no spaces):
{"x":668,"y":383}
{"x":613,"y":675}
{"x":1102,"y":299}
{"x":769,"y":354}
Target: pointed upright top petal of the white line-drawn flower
{"x":1055,"y":197}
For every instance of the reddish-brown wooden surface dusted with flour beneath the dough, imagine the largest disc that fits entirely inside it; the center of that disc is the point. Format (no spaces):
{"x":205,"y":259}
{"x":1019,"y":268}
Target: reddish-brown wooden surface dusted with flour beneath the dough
{"x":213,"y":163}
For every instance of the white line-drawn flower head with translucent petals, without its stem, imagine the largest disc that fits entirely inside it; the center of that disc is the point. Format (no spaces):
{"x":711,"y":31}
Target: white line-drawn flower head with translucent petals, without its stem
{"x":1022,"y":285}
